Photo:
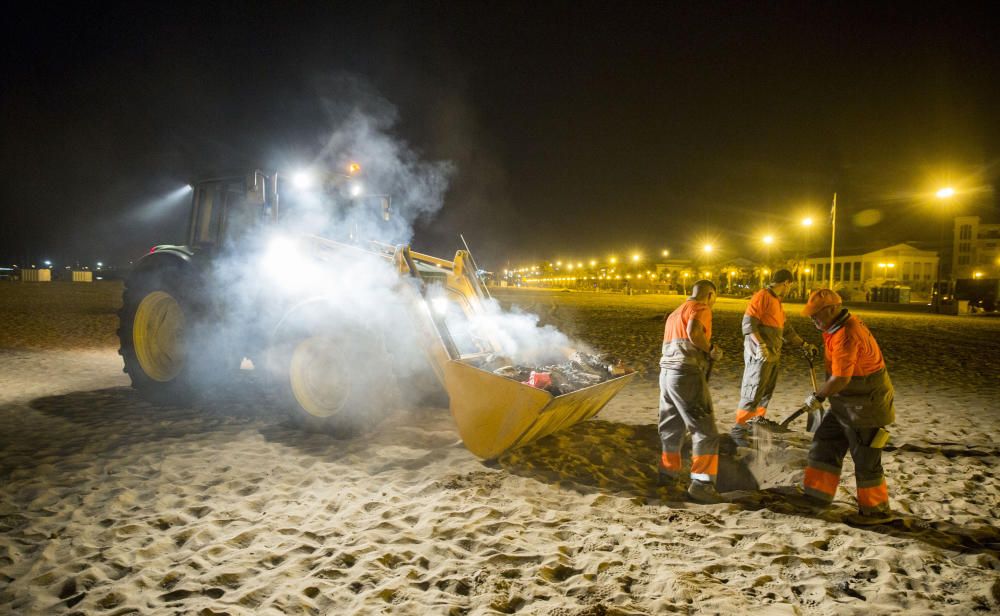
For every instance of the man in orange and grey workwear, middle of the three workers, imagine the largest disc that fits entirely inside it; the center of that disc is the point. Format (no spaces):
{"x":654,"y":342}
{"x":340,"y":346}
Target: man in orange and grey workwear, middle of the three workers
{"x":765,"y":331}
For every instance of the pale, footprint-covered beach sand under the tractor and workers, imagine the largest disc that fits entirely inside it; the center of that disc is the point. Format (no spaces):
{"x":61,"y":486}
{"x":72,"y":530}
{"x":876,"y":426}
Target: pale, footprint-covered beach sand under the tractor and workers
{"x":112,"y":505}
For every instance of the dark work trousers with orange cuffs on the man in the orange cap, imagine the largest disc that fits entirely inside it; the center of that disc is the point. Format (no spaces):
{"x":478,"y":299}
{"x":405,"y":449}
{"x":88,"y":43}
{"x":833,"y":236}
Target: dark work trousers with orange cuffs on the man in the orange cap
{"x":831,"y":442}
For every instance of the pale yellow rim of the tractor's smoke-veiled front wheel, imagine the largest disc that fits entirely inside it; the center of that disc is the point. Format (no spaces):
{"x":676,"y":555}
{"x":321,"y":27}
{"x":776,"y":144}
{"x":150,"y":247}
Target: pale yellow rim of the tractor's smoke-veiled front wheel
{"x":319,"y":377}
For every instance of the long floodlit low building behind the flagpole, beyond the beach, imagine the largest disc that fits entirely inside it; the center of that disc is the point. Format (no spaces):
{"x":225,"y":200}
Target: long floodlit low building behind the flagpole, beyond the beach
{"x":856,"y":272}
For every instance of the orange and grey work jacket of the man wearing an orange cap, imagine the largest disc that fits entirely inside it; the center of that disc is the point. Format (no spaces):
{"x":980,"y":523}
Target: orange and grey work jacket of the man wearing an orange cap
{"x":850,"y":350}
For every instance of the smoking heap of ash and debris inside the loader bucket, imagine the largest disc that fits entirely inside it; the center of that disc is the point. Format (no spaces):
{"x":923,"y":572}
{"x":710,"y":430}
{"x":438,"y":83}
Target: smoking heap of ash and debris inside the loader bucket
{"x":579,"y":371}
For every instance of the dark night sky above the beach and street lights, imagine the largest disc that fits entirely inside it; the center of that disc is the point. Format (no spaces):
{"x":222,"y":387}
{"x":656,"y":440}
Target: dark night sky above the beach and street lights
{"x":576,"y":129}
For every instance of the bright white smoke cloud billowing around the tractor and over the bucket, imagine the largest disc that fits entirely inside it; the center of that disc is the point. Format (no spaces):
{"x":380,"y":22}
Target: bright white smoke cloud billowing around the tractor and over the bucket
{"x":301,"y":285}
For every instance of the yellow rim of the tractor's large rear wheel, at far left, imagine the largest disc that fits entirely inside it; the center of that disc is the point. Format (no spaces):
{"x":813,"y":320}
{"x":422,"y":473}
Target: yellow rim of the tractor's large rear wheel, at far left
{"x":157,"y":336}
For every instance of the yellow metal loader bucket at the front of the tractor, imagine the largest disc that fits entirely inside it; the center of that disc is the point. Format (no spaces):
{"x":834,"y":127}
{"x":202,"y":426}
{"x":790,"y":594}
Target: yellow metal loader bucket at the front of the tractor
{"x":495,"y":414}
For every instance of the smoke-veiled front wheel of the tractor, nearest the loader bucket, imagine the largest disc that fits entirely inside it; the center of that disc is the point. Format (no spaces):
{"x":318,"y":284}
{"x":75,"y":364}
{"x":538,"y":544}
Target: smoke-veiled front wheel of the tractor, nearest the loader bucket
{"x":333,"y":382}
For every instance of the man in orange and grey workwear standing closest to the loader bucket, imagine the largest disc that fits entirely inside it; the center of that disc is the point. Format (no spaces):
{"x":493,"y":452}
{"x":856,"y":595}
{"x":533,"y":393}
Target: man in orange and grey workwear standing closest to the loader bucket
{"x":685,"y":402}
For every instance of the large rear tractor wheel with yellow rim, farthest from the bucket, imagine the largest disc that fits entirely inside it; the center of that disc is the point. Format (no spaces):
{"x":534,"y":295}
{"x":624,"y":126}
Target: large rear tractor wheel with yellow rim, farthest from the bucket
{"x":155,"y":315}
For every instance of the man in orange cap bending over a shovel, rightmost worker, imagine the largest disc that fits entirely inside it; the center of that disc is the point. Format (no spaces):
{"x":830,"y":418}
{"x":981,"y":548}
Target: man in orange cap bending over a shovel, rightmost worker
{"x":861,"y":405}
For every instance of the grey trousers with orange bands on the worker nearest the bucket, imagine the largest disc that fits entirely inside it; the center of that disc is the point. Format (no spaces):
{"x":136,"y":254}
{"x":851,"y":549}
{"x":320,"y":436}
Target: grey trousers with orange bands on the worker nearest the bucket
{"x":686,"y":405}
